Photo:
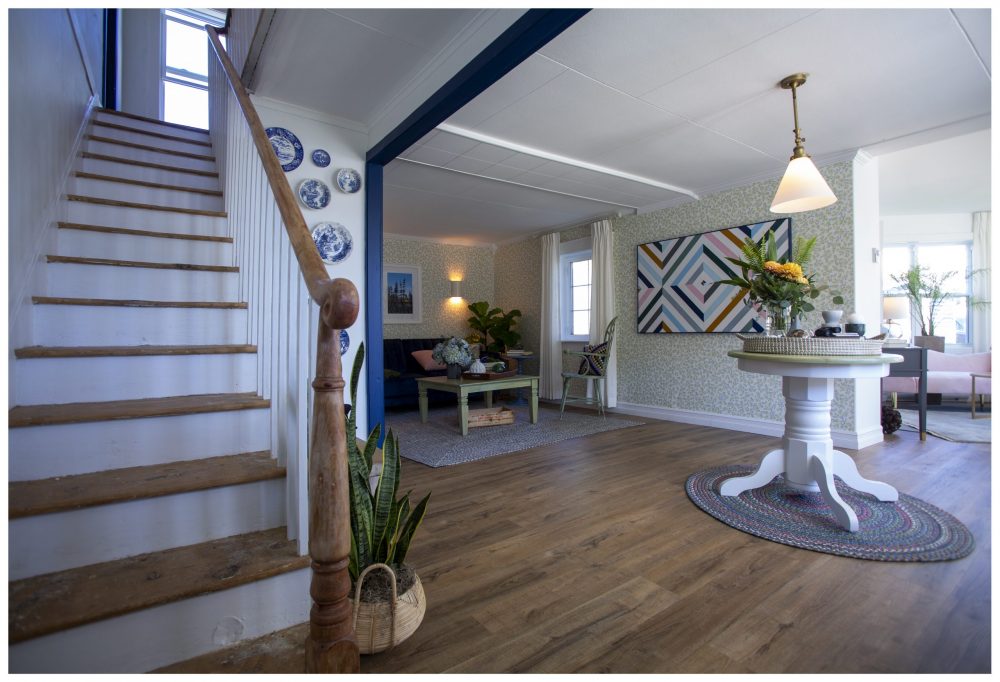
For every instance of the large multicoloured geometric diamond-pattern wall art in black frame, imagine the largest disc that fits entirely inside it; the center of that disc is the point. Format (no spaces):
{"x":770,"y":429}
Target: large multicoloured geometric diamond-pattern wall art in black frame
{"x":678,"y":281}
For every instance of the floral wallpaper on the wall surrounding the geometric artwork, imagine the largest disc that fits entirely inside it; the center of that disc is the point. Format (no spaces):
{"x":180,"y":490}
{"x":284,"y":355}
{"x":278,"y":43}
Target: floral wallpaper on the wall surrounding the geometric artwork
{"x":691,"y":371}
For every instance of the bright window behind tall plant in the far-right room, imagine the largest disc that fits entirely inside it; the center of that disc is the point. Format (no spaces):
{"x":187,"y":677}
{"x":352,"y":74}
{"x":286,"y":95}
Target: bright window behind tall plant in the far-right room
{"x":953,"y":320}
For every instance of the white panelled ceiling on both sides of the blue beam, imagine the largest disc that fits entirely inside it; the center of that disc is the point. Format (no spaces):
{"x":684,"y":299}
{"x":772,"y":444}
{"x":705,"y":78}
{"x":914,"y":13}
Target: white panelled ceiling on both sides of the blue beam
{"x":632,"y":110}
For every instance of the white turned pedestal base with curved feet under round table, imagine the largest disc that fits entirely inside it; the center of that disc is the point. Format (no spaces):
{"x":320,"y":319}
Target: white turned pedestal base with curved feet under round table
{"x":807,"y":458}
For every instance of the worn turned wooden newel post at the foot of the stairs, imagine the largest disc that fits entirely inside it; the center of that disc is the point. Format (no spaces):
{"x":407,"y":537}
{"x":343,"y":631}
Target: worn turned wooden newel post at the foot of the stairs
{"x":331,"y":646}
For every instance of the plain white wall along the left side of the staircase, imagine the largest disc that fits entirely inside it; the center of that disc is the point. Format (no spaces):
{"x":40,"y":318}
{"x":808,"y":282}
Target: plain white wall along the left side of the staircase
{"x":49,"y":100}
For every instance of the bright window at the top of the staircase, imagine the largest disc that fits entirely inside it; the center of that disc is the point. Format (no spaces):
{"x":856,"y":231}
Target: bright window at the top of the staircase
{"x":184,"y":64}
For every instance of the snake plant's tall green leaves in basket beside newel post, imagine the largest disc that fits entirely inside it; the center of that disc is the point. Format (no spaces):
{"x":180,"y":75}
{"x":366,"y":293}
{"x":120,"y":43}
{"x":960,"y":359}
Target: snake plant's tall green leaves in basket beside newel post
{"x":382,"y":526}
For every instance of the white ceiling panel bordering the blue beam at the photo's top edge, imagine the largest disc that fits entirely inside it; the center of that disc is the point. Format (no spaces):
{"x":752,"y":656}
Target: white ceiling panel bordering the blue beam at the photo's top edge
{"x":653,"y":47}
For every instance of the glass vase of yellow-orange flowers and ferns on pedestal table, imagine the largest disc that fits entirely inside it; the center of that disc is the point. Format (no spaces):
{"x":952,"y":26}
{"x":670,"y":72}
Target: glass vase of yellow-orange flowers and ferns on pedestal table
{"x":777,"y":287}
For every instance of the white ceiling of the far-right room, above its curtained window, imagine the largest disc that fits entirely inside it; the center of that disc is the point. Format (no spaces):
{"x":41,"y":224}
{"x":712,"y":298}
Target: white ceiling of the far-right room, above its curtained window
{"x":950,"y":176}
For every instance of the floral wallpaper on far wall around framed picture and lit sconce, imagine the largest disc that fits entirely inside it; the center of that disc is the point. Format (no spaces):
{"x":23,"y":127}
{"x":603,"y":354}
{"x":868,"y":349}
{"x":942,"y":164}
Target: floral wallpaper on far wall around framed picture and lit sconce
{"x":440,"y":263}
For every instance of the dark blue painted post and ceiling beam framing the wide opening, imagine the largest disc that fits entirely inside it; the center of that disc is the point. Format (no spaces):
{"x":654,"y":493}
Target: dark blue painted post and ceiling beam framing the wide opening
{"x":522,"y":39}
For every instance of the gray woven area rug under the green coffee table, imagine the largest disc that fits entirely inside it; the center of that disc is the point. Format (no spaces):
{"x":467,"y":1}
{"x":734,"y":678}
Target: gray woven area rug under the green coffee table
{"x":440,"y":443}
